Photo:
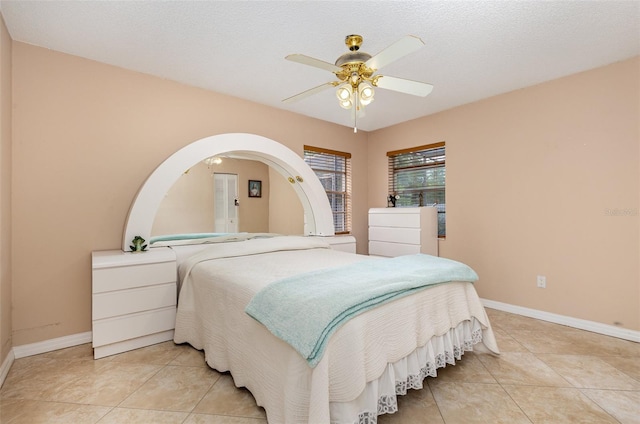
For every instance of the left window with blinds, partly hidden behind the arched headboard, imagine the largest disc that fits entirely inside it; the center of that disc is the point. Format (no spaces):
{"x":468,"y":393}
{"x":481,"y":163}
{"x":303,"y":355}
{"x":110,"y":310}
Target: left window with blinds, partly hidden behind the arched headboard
{"x":333,"y":168}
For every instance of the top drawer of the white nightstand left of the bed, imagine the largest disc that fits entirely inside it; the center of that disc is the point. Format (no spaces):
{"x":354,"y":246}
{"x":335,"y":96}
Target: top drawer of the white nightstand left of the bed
{"x":124,"y":277}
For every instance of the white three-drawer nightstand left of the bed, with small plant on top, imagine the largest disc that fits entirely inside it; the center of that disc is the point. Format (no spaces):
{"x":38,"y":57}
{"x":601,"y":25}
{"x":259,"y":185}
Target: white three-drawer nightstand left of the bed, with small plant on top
{"x":134,"y":299}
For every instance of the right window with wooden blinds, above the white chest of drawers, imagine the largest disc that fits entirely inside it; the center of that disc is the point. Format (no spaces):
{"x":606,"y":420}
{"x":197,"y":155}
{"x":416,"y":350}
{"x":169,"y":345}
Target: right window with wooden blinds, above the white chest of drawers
{"x":417,"y":176}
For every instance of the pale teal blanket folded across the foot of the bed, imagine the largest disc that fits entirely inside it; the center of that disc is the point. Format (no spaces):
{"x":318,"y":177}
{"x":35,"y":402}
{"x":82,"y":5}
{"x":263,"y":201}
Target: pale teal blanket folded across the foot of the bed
{"x":304,"y":310}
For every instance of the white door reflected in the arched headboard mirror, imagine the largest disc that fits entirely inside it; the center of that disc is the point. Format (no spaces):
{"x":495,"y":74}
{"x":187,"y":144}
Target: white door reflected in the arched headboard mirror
{"x":225,"y":202}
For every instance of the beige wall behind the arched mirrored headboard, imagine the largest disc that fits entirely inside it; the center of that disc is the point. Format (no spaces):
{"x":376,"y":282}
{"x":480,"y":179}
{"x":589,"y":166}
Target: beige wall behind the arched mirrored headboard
{"x":85,"y":137}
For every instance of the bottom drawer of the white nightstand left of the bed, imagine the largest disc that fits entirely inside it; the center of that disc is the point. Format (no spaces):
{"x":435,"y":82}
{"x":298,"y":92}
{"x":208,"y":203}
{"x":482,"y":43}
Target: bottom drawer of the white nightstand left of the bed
{"x":111,"y":330}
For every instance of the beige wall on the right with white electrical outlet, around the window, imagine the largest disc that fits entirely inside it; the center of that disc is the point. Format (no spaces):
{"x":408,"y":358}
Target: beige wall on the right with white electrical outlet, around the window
{"x":534,"y":180}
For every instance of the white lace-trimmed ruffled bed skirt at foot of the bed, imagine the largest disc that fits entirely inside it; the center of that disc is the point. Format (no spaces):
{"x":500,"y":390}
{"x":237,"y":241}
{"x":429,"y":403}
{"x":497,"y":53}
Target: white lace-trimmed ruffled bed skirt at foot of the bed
{"x":380,"y":396}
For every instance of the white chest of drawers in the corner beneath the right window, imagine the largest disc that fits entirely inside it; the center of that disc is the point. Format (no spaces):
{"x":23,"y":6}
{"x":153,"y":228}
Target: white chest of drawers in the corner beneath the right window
{"x":403,"y":231}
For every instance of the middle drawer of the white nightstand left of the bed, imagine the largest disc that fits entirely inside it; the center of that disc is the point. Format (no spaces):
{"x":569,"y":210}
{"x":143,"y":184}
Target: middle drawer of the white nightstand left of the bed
{"x":111,"y":304}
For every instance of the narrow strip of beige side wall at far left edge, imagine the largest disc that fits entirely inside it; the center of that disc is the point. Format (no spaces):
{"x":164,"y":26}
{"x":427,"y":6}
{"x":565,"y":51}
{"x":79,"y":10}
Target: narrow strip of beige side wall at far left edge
{"x":5,"y":192}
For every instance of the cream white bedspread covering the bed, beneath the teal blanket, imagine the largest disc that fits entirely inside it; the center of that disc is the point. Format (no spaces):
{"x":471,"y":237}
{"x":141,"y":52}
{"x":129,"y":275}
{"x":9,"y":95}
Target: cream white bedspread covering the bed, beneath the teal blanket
{"x":211,"y":316}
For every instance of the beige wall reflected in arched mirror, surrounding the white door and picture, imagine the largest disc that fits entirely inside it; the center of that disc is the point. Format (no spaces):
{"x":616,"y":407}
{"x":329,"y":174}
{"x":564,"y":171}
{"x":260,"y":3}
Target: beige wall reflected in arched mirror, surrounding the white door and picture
{"x":188,"y":207}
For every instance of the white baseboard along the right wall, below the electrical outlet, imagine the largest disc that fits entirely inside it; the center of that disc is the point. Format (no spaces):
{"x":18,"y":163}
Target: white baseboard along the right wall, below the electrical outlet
{"x":595,"y":327}
